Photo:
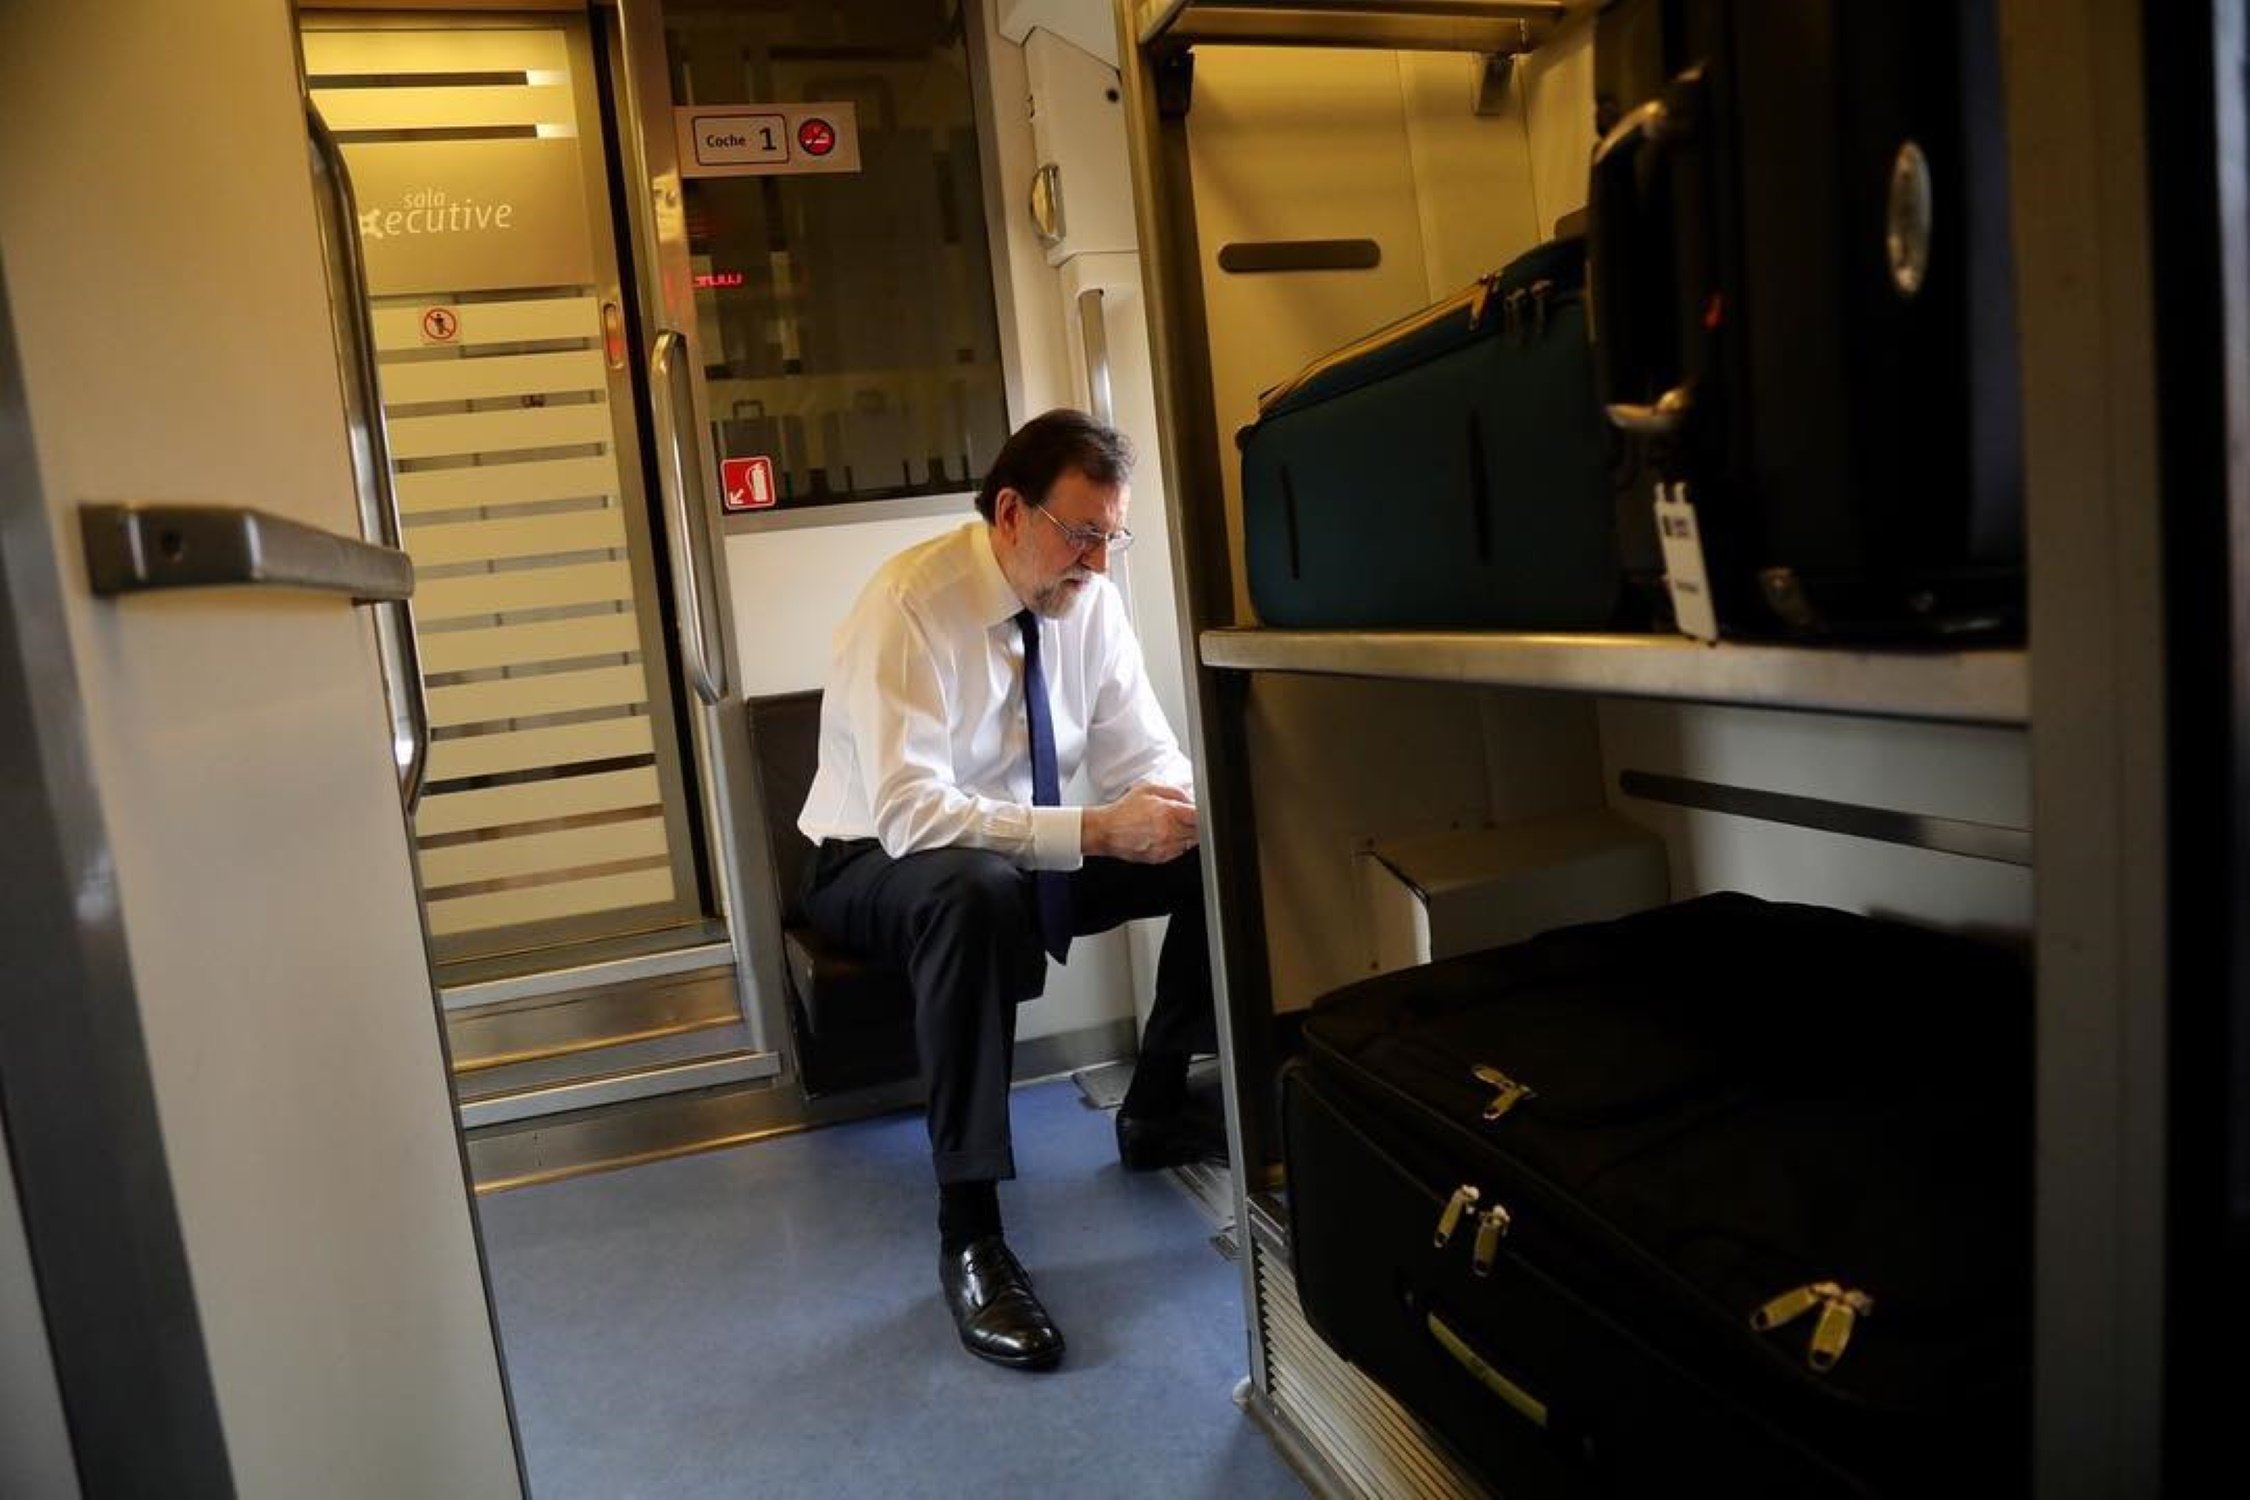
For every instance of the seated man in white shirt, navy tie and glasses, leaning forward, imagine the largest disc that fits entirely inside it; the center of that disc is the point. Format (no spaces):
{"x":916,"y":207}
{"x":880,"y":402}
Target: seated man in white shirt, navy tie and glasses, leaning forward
{"x":946,"y":849}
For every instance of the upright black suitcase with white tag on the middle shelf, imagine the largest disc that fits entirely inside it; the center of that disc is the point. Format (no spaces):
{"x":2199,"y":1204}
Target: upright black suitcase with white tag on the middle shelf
{"x":1803,"y":307}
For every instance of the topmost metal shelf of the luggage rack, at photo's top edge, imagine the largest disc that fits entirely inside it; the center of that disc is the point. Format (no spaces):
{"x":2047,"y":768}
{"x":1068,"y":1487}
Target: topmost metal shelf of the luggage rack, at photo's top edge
{"x":1412,"y":26}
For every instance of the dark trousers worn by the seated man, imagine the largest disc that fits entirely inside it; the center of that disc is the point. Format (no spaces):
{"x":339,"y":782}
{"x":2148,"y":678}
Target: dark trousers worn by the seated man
{"x":964,"y":928}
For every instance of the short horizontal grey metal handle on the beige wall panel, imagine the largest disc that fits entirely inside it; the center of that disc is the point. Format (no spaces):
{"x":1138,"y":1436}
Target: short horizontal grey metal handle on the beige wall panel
{"x":138,"y":550}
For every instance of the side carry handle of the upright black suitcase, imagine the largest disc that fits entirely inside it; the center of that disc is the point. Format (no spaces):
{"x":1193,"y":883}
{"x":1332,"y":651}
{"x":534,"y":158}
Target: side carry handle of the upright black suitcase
{"x":1614,"y":231}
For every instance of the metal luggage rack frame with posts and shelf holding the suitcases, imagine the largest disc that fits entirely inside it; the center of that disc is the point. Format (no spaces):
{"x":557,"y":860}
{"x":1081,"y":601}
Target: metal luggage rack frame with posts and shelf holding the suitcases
{"x":2096,"y":757}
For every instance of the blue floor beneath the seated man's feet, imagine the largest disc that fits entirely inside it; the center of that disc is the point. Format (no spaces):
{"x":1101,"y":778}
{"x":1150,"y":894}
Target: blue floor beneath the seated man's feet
{"x":766,"y":1321}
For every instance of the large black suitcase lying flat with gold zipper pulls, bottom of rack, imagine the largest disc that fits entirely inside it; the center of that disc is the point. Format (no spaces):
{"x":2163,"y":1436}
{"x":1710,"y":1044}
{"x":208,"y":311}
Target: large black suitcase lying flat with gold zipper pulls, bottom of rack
{"x":1545,"y":1193}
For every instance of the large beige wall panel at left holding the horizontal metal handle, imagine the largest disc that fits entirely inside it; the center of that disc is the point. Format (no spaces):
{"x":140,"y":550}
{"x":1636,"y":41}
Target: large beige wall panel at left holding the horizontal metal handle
{"x":172,"y":314}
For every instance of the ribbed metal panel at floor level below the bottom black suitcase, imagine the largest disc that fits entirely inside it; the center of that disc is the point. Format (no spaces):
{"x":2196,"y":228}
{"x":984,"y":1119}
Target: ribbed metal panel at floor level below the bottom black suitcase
{"x":1351,"y":1422}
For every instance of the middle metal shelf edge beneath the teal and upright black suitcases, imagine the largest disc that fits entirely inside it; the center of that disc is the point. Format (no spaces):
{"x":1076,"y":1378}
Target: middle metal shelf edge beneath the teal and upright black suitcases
{"x":1965,"y":687}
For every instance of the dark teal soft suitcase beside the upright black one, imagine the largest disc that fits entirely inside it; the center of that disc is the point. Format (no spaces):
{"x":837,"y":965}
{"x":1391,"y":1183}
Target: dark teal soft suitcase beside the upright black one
{"x":1448,"y":471}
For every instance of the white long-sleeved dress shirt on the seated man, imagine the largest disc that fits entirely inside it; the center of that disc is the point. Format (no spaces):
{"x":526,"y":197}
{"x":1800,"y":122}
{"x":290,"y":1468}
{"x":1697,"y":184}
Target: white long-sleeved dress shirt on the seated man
{"x":924,"y":732}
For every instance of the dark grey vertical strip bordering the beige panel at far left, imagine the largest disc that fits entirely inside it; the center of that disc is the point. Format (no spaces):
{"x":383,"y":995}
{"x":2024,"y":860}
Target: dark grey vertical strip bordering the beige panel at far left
{"x":75,"y":1092}
